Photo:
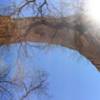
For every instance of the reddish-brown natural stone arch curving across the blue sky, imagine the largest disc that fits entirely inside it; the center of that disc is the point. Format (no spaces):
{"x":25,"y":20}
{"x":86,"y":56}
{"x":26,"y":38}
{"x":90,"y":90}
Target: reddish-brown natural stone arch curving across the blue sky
{"x":52,"y":31}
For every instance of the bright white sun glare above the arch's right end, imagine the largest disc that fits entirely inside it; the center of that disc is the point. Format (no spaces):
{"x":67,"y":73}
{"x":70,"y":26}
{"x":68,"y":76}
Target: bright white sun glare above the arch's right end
{"x":93,"y":10}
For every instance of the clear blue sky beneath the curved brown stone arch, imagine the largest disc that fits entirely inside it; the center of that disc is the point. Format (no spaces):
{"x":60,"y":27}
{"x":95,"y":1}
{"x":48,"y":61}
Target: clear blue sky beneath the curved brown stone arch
{"x":71,"y":76}
